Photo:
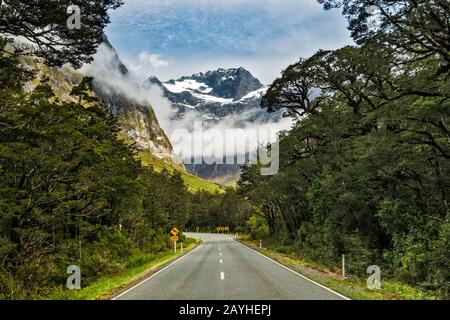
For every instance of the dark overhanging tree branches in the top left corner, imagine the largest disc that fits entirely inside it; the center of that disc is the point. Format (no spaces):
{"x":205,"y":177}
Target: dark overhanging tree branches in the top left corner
{"x":43,"y":23}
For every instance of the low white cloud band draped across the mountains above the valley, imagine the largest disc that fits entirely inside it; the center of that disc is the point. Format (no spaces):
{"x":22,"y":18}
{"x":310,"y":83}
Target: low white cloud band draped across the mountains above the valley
{"x":105,"y":69}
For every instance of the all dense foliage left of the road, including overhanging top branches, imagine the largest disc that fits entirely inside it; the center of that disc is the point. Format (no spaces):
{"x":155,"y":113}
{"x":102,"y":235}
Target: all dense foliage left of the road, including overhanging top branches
{"x":71,"y":191}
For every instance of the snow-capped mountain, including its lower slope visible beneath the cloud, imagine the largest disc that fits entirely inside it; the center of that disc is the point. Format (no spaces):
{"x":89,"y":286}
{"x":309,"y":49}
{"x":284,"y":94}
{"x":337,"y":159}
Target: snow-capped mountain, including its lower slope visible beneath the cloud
{"x":231,"y":95}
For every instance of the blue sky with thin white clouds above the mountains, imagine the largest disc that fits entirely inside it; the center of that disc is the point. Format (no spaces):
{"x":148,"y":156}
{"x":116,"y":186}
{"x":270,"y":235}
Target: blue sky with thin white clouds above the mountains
{"x":171,"y":38}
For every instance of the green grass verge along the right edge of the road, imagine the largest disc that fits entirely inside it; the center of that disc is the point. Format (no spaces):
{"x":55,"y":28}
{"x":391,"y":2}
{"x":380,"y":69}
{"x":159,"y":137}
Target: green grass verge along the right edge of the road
{"x":353,"y":288}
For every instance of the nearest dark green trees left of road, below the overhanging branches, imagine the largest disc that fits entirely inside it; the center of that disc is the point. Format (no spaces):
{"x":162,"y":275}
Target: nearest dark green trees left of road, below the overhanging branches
{"x":62,"y":171}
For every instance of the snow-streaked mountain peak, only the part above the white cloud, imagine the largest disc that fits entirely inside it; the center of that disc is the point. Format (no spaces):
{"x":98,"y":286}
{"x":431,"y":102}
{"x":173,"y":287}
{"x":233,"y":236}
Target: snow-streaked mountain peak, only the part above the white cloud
{"x":216,"y":95}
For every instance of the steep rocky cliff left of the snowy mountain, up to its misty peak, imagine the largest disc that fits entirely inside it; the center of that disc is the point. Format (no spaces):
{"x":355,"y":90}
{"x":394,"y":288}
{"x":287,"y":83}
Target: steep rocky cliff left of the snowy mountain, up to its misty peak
{"x":139,"y":125}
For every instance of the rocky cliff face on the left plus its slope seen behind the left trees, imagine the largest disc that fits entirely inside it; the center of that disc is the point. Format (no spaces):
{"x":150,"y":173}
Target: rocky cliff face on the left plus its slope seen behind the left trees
{"x":136,"y":118}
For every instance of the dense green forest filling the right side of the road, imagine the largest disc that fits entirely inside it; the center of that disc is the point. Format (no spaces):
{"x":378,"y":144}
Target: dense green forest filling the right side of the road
{"x":366,"y":170}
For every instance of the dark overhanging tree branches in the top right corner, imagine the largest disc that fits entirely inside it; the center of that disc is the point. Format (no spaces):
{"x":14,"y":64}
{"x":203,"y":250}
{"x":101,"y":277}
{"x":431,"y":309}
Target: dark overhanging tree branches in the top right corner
{"x":420,"y":28}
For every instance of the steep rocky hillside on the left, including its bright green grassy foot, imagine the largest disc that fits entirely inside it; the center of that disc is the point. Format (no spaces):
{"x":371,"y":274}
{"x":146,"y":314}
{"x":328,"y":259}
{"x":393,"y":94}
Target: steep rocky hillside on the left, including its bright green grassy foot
{"x":138,"y":123}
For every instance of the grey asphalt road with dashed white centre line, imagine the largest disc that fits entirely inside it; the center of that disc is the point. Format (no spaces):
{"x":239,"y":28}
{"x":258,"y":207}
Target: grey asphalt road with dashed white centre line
{"x":223,"y":269}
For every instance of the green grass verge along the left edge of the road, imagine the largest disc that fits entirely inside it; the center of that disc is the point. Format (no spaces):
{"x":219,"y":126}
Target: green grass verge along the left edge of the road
{"x":105,"y":288}
